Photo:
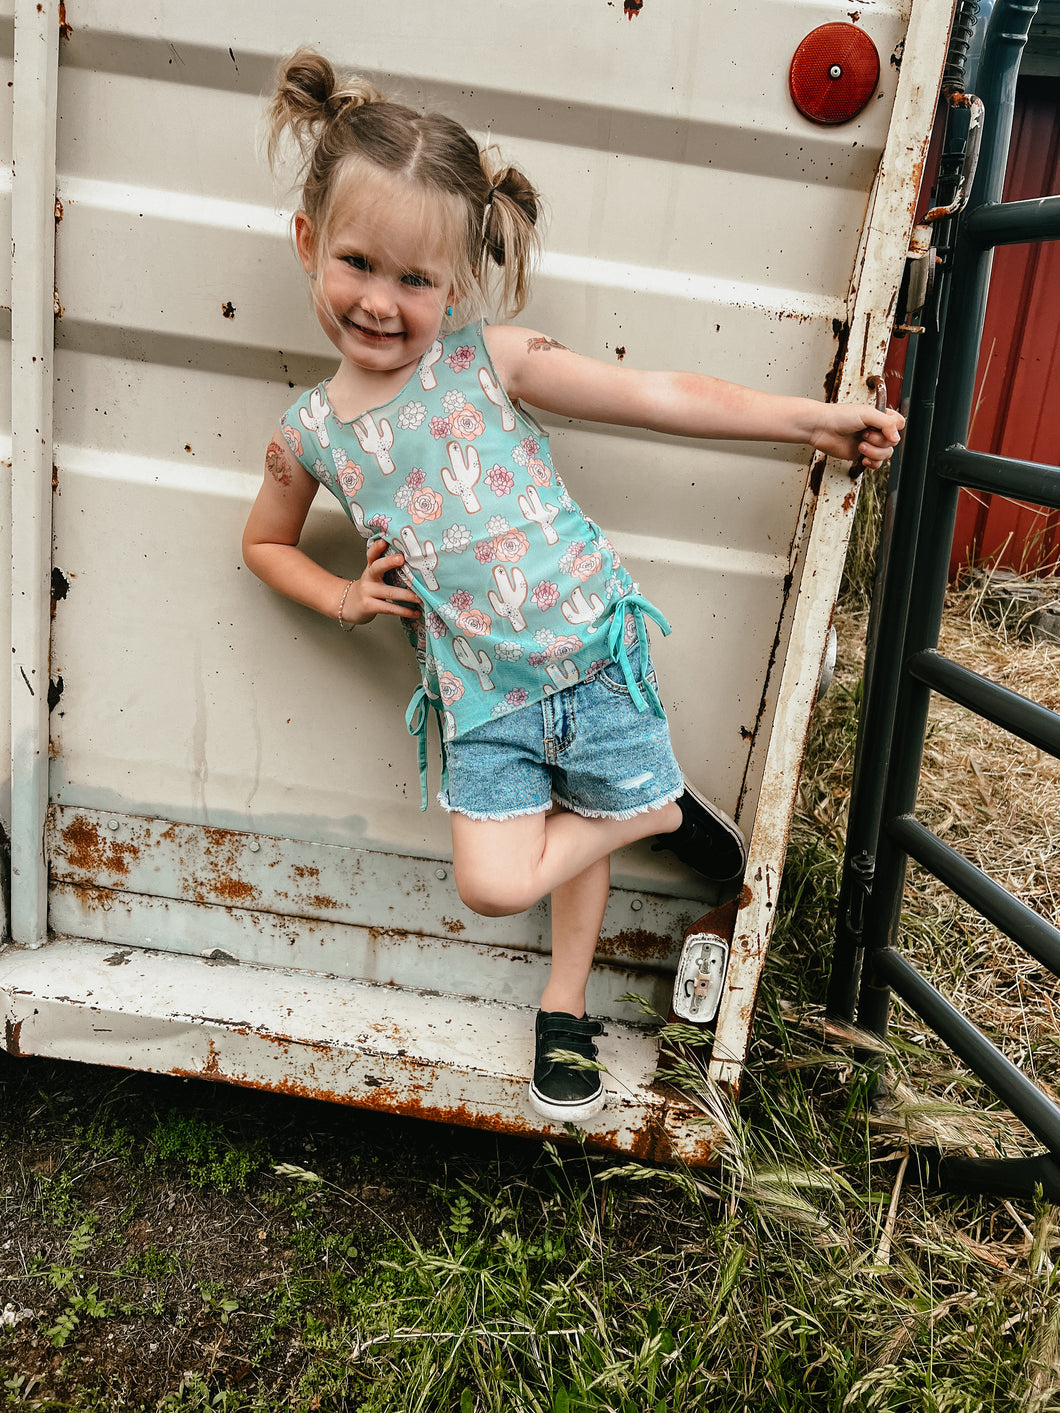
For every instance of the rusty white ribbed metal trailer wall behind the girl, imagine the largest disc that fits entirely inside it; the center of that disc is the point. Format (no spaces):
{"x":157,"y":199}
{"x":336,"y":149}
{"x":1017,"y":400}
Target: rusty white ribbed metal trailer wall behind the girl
{"x":220,"y":865}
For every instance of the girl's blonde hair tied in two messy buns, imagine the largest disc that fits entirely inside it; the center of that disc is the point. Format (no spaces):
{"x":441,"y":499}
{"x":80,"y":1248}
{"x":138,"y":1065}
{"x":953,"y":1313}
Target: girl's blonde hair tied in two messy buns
{"x":347,"y":134}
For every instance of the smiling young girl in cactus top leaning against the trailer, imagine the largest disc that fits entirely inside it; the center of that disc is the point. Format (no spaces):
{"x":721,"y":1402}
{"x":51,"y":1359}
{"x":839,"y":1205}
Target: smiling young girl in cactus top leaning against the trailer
{"x":529,"y":634}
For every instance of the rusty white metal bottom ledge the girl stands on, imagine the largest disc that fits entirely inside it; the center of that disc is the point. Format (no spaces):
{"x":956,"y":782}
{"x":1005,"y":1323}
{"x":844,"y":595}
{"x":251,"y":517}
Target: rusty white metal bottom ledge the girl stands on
{"x":299,"y":1034}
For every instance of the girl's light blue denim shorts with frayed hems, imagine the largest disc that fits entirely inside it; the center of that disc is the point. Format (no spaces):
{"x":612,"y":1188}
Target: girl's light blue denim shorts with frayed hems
{"x":586,"y":748}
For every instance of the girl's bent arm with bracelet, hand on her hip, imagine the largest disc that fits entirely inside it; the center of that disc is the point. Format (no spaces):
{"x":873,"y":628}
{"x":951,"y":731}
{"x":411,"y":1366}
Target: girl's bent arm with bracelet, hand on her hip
{"x":271,"y":550}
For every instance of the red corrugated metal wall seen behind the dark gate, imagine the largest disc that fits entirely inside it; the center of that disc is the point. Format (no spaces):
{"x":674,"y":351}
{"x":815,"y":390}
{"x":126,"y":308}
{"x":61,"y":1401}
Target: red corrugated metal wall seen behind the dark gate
{"x":1017,"y":410}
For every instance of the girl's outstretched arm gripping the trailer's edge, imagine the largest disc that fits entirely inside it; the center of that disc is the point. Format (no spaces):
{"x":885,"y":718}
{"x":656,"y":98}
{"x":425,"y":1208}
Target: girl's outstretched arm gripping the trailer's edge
{"x":543,"y":374}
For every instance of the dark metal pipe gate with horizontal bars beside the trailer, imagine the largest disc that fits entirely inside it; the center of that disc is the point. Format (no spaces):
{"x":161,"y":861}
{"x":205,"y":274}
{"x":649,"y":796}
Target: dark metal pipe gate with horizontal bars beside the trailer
{"x":904,"y":666}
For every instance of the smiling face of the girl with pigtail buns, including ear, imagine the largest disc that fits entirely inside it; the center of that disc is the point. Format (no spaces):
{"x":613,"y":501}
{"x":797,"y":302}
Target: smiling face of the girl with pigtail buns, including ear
{"x":382,"y":283}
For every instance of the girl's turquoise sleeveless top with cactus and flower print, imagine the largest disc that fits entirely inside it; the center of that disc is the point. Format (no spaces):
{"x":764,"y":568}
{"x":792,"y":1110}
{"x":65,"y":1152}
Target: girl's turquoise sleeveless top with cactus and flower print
{"x":522,"y":594}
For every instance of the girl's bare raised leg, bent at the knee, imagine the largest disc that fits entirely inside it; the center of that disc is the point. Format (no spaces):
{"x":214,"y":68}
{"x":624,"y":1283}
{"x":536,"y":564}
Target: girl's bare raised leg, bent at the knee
{"x":505,"y":867}
